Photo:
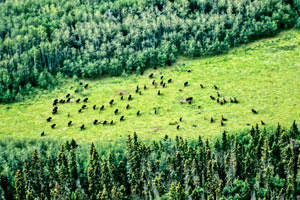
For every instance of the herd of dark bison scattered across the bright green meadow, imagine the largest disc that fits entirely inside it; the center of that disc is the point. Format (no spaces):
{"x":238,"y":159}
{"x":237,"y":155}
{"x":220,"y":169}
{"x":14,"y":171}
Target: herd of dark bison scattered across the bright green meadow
{"x":217,"y":98}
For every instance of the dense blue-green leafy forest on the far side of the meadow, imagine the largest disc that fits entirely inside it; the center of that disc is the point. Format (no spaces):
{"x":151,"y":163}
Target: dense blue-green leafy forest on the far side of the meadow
{"x":41,"y":41}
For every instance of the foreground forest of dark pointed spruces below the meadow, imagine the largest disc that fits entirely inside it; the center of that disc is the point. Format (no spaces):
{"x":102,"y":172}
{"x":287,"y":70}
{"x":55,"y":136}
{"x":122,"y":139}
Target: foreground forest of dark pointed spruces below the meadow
{"x":255,"y":164}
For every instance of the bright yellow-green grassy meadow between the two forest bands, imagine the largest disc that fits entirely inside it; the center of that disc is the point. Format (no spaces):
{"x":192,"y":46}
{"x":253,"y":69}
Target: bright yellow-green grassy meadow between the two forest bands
{"x":264,"y":75}
